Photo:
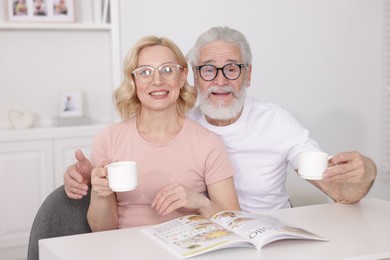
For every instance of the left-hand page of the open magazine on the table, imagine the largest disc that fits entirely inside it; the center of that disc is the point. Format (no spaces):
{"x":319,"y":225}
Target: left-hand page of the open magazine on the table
{"x":193,"y":235}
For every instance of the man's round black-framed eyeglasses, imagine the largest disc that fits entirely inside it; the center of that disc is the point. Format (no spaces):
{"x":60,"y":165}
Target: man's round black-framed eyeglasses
{"x":209,"y":72}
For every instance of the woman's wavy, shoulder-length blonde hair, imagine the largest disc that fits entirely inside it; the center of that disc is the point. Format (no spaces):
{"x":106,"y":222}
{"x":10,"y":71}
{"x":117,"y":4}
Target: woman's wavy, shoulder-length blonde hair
{"x":125,"y":96}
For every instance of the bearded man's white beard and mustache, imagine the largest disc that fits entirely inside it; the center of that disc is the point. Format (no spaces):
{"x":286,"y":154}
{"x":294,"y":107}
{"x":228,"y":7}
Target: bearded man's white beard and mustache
{"x":219,"y":111}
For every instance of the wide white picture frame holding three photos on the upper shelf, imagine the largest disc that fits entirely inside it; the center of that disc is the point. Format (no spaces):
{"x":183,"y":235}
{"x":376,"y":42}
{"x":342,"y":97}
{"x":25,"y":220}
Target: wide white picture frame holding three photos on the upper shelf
{"x":40,"y":10}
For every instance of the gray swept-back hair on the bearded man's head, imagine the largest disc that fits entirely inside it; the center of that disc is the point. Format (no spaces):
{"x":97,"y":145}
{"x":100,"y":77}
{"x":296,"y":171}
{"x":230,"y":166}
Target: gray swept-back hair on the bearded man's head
{"x":224,"y":34}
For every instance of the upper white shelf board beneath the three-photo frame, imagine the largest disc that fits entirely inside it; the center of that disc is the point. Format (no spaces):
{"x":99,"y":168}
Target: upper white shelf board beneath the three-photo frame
{"x":55,"y":26}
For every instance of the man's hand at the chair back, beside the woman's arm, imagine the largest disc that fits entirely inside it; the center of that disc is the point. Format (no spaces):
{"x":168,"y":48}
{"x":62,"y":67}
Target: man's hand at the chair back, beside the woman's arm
{"x":77,"y":177}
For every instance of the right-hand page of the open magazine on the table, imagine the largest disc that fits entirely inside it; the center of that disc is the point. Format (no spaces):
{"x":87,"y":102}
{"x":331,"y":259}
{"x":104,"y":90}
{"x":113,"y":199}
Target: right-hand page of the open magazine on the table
{"x":261,"y":229}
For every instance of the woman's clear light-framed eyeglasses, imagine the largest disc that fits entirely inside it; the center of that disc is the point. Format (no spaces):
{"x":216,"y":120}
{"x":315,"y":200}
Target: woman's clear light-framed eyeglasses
{"x":145,"y":74}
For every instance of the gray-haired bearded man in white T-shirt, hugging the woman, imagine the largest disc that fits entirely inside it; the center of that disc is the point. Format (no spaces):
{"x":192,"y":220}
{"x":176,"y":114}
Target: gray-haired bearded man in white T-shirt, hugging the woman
{"x":262,"y":139}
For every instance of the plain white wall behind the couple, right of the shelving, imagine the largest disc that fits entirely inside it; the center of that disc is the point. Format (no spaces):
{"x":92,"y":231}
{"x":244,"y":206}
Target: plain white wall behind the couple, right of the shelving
{"x":320,"y":59}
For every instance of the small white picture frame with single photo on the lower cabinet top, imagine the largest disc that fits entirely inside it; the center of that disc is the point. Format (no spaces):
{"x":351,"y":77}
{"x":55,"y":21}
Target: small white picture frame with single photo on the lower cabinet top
{"x":71,"y":104}
